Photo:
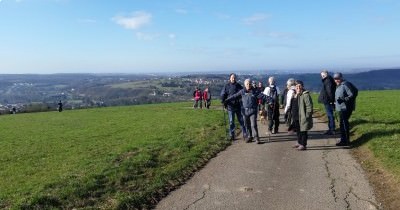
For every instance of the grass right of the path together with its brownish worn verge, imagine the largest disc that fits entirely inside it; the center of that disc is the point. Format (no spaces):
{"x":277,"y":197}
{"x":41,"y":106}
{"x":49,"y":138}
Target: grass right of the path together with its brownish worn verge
{"x":375,"y":130}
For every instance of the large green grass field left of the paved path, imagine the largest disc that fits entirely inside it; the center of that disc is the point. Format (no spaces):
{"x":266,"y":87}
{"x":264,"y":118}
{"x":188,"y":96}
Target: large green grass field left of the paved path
{"x":115,"y":157}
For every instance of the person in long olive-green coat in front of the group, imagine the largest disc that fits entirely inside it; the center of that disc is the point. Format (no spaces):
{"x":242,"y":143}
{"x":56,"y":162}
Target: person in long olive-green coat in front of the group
{"x":302,"y":115}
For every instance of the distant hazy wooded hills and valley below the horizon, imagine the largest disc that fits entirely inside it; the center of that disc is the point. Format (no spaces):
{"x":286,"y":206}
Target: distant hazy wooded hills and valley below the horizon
{"x":29,"y":93}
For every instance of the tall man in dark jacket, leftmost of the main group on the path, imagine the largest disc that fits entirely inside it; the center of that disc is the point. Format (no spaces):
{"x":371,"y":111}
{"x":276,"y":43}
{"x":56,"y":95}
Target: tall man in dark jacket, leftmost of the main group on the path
{"x":234,"y":107}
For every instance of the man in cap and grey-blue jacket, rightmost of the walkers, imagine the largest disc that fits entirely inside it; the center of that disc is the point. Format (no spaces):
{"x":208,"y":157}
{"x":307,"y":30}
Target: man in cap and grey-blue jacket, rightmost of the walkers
{"x":343,"y":95}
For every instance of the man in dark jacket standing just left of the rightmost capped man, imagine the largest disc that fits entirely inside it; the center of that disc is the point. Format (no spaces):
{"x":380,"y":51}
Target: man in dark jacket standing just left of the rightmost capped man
{"x":327,"y":97}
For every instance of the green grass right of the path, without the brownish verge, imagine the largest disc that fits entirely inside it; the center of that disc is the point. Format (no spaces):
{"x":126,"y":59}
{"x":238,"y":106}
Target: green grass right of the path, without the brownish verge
{"x":375,"y":125}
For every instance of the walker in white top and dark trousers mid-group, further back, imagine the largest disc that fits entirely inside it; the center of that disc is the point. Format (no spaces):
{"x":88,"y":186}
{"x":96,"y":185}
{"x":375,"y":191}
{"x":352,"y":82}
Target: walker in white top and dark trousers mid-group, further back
{"x":273,"y":92}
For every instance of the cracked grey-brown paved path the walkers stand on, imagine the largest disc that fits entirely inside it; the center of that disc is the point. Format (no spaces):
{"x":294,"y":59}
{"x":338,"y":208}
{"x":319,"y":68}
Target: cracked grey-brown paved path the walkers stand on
{"x":275,"y":176}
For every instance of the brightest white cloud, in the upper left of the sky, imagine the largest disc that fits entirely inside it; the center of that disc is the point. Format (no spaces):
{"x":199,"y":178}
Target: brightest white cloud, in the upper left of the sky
{"x":135,"y":21}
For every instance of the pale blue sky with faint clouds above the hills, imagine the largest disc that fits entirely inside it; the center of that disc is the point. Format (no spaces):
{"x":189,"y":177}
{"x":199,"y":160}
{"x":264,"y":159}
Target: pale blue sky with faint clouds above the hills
{"x":143,"y":36}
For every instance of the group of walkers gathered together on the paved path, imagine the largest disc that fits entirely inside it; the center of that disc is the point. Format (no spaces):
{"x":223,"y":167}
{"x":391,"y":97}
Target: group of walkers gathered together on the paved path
{"x":247,"y":103}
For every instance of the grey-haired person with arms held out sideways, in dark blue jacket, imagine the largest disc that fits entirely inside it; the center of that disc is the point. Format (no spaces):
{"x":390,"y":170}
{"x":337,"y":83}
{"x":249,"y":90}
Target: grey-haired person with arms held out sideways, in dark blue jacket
{"x":250,"y":96}
